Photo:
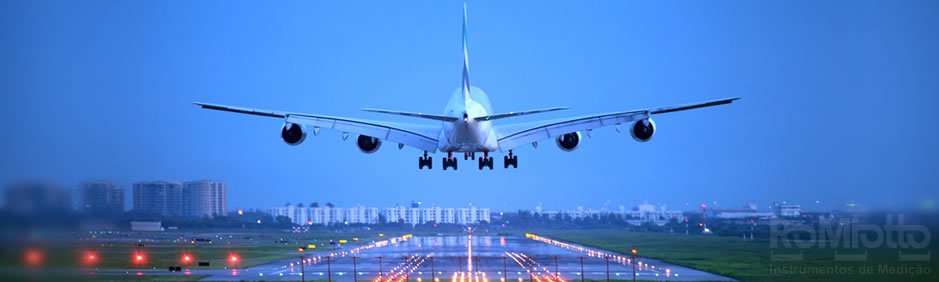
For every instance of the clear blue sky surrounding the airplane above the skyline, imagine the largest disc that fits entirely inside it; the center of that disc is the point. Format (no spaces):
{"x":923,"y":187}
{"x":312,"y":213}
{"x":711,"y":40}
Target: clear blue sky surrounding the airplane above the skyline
{"x":838,"y":97}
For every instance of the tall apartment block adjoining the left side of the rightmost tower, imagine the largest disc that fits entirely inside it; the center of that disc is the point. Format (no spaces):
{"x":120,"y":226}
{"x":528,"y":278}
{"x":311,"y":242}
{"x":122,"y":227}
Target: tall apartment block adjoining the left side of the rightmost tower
{"x":164,"y":198}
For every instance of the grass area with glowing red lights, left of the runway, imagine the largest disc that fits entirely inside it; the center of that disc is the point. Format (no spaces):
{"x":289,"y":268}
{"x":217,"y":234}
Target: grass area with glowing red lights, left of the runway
{"x":162,"y":249}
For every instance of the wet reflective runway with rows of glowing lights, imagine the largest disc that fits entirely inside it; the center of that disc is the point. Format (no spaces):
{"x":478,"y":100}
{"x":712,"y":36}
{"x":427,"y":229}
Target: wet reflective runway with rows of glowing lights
{"x":467,"y":259}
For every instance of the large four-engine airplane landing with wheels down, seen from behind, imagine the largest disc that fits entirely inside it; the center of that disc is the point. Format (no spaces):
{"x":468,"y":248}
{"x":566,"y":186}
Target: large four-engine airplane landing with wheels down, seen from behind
{"x":467,"y":125}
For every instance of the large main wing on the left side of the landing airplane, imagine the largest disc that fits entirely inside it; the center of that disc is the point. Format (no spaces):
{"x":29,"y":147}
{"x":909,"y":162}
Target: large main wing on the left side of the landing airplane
{"x":423,"y":137}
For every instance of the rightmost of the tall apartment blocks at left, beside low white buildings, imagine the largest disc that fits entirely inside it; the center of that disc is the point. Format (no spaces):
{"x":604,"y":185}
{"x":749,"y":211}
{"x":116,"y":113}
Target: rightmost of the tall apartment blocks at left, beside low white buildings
{"x":204,"y":198}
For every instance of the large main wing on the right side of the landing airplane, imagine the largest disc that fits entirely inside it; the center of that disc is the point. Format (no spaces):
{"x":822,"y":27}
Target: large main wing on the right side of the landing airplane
{"x":514,"y":135}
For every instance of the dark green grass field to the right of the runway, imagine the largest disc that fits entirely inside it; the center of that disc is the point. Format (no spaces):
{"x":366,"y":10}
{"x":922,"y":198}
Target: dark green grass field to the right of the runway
{"x":751,"y":260}
